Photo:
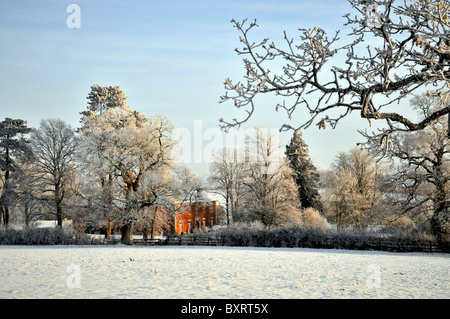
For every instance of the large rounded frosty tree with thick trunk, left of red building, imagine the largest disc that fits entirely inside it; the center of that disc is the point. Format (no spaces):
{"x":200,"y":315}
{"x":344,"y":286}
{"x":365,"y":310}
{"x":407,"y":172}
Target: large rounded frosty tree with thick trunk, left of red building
{"x":134,"y":146}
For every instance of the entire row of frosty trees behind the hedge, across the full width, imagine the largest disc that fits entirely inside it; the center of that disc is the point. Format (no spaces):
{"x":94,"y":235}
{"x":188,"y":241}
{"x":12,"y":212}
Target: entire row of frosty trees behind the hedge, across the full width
{"x":116,"y":168}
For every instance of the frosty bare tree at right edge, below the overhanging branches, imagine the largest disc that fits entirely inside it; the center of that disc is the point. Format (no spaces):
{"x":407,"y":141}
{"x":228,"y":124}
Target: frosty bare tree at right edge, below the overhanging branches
{"x":423,"y":168}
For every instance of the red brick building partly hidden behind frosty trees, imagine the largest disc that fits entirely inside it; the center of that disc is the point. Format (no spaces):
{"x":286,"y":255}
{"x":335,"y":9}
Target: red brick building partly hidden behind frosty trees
{"x":196,"y":215}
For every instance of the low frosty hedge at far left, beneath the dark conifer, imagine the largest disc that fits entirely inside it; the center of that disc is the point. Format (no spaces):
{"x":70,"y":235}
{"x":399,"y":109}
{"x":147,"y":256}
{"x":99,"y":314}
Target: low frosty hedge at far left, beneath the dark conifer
{"x":42,"y":236}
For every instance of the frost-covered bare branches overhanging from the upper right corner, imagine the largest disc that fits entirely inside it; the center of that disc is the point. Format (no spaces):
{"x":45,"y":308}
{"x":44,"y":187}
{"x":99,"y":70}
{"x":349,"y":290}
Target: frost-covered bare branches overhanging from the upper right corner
{"x":411,"y":50}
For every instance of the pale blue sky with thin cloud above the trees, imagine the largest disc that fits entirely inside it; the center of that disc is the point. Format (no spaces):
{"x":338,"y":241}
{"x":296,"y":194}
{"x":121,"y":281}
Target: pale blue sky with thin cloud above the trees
{"x":169,"y":57}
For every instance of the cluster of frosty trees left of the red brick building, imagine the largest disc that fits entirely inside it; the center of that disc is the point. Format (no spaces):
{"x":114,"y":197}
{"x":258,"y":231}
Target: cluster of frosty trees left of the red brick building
{"x":115,"y":168}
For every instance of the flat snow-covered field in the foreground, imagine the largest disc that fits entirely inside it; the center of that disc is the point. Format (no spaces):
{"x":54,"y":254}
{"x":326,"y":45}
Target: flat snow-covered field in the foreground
{"x":218,"y":272}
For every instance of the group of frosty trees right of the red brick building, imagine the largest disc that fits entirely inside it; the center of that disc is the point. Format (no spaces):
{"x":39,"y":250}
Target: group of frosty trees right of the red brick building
{"x":405,"y":188}
